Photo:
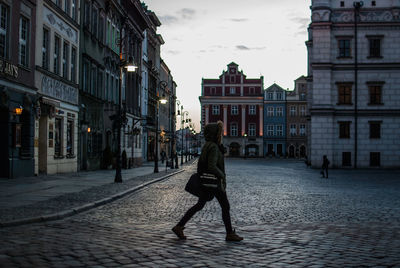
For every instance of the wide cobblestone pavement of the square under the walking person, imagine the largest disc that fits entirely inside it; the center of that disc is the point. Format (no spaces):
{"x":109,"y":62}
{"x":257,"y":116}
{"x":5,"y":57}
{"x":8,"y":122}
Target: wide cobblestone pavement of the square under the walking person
{"x":288,"y":215}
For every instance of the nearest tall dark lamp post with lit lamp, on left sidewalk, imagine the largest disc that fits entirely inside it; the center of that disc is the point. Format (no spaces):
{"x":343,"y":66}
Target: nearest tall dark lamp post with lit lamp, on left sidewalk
{"x":120,"y":117}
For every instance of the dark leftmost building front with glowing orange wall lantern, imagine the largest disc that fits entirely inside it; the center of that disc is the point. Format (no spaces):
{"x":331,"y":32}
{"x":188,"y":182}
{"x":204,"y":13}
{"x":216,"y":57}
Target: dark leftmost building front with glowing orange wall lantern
{"x":18,"y":100}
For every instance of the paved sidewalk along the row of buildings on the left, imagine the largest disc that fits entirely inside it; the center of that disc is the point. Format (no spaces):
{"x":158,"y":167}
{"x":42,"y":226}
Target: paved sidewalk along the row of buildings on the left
{"x":33,"y":199}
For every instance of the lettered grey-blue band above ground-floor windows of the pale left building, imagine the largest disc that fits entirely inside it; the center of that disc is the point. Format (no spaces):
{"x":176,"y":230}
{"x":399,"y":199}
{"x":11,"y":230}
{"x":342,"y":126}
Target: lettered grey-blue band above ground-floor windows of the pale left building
{"x":59,"y":90}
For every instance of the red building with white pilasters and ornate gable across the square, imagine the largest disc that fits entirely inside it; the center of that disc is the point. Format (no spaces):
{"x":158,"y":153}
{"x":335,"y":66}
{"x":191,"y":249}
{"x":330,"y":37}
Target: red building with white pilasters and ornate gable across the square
{"x":238,"y":102}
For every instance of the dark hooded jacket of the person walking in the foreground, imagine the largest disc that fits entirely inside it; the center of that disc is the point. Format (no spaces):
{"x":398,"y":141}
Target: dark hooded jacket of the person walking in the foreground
{"x":212,"y":158}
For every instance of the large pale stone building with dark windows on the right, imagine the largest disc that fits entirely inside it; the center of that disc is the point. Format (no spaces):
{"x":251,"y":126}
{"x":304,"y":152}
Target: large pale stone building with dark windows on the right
{"x":354,"y":70}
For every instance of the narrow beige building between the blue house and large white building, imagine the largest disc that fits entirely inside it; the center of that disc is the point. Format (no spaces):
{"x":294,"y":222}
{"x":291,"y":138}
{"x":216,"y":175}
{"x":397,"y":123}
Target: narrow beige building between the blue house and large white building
{"x":296,"y":119}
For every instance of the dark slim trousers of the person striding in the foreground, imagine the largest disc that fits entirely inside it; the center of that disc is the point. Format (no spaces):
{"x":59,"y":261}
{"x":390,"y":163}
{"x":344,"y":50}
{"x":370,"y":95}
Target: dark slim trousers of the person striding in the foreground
{"x":223,"y":202}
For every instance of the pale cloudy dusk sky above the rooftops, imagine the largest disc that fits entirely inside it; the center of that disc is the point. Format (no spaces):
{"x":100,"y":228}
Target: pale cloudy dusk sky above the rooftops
{"x":264,"y":37}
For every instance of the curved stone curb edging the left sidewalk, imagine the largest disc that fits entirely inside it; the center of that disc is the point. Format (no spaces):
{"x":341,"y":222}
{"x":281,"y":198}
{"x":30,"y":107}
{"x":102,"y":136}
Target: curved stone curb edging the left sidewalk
{"x":73,"y":211}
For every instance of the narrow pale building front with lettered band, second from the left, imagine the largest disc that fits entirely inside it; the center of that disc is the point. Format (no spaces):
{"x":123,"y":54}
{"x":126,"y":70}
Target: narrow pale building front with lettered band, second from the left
{"x":56,"y":78}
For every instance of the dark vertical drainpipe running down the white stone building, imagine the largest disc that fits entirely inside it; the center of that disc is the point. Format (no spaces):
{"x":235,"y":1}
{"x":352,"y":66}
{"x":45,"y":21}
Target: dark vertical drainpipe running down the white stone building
{"x":357,"y":6}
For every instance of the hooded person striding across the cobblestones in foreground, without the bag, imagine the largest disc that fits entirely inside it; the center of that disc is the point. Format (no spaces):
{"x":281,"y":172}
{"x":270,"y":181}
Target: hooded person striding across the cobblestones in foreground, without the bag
{"x":211,"y":161}
